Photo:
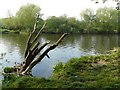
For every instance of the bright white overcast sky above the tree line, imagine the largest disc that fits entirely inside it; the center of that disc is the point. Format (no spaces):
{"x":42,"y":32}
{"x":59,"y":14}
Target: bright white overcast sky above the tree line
{"x":71,"y":8}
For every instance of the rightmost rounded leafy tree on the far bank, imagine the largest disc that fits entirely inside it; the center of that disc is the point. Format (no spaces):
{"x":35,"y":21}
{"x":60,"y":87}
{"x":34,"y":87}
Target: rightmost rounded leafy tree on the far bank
{"x":107,"y":19}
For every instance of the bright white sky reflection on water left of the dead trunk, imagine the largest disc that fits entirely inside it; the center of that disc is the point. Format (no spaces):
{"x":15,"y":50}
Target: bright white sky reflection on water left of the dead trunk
{"x":9,"y":54}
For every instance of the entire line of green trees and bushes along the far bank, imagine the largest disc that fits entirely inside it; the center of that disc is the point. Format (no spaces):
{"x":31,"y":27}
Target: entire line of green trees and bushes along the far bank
{"x":104,"y":20}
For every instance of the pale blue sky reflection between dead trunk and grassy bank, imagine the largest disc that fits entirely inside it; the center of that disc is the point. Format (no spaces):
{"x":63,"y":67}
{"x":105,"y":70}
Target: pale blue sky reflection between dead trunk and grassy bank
{"x":60,"y":54}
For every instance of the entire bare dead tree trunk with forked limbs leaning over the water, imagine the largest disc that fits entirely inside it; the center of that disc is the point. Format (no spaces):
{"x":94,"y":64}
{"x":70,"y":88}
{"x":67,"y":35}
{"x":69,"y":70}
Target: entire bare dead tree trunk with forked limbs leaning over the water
{"x":33,"y":48}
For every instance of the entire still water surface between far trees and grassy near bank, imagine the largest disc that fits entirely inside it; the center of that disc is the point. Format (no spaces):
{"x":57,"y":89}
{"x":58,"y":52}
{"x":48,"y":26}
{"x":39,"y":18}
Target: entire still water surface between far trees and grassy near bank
{"x":13,"y":45}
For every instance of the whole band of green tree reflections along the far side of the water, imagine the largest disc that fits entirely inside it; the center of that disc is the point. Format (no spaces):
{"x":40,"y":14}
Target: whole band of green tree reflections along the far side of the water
{"x":100,"y":43}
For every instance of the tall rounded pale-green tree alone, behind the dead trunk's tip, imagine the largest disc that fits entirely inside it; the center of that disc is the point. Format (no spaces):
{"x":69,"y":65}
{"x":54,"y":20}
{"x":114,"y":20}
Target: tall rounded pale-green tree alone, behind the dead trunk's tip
{"x":26,"y":16}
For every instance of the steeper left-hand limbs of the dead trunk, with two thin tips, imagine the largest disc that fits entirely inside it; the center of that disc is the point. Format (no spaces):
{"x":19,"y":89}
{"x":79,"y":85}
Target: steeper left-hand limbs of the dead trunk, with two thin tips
{"x":29,"y":53}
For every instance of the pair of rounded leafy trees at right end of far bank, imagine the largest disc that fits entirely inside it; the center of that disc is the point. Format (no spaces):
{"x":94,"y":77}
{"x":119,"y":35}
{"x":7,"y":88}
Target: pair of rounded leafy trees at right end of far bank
{"x":105,"y":20}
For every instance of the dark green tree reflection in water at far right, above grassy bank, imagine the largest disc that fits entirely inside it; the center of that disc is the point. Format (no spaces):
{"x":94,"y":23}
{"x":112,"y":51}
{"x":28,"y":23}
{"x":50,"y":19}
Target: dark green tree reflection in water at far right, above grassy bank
{"x":100,"y":43}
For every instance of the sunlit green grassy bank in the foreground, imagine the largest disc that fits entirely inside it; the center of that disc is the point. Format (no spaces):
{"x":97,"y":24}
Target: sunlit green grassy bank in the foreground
{"x":99,"y":71}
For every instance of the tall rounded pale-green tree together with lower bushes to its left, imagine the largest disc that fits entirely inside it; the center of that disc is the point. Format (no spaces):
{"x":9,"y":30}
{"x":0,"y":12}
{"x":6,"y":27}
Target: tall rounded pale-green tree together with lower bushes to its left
{"x":24,"y":19}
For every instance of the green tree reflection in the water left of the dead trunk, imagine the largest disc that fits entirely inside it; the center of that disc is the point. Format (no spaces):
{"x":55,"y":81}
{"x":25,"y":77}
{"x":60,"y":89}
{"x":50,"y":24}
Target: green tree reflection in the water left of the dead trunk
{"x":13,"y":41}
